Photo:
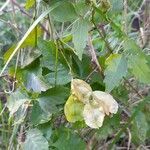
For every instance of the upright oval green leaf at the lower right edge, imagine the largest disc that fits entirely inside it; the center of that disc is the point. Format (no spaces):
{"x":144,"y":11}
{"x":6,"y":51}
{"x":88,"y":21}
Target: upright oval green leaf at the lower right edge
{"x":139,"y":128}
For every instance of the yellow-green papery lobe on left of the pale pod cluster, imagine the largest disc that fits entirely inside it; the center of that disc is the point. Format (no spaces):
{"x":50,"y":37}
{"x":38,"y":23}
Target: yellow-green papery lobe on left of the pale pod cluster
{"x":73,"y":109}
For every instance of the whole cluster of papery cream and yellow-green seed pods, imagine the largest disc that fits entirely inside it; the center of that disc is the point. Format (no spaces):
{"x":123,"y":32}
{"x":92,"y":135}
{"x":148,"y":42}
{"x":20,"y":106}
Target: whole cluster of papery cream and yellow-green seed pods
{"x":90,"y":106}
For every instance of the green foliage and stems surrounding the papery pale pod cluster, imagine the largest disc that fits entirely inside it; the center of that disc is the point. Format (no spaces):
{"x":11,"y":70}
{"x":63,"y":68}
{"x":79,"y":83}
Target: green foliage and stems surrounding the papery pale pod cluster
{"x":90,"y":40}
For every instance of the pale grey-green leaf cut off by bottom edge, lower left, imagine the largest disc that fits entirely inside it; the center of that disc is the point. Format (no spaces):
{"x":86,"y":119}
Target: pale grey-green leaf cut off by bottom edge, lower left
{"x":35,"y":141}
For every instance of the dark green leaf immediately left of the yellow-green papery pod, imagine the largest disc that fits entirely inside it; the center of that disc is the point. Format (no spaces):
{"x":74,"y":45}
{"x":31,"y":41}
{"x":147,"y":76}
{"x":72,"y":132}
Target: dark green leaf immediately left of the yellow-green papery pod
{"x":49,"y":100}
